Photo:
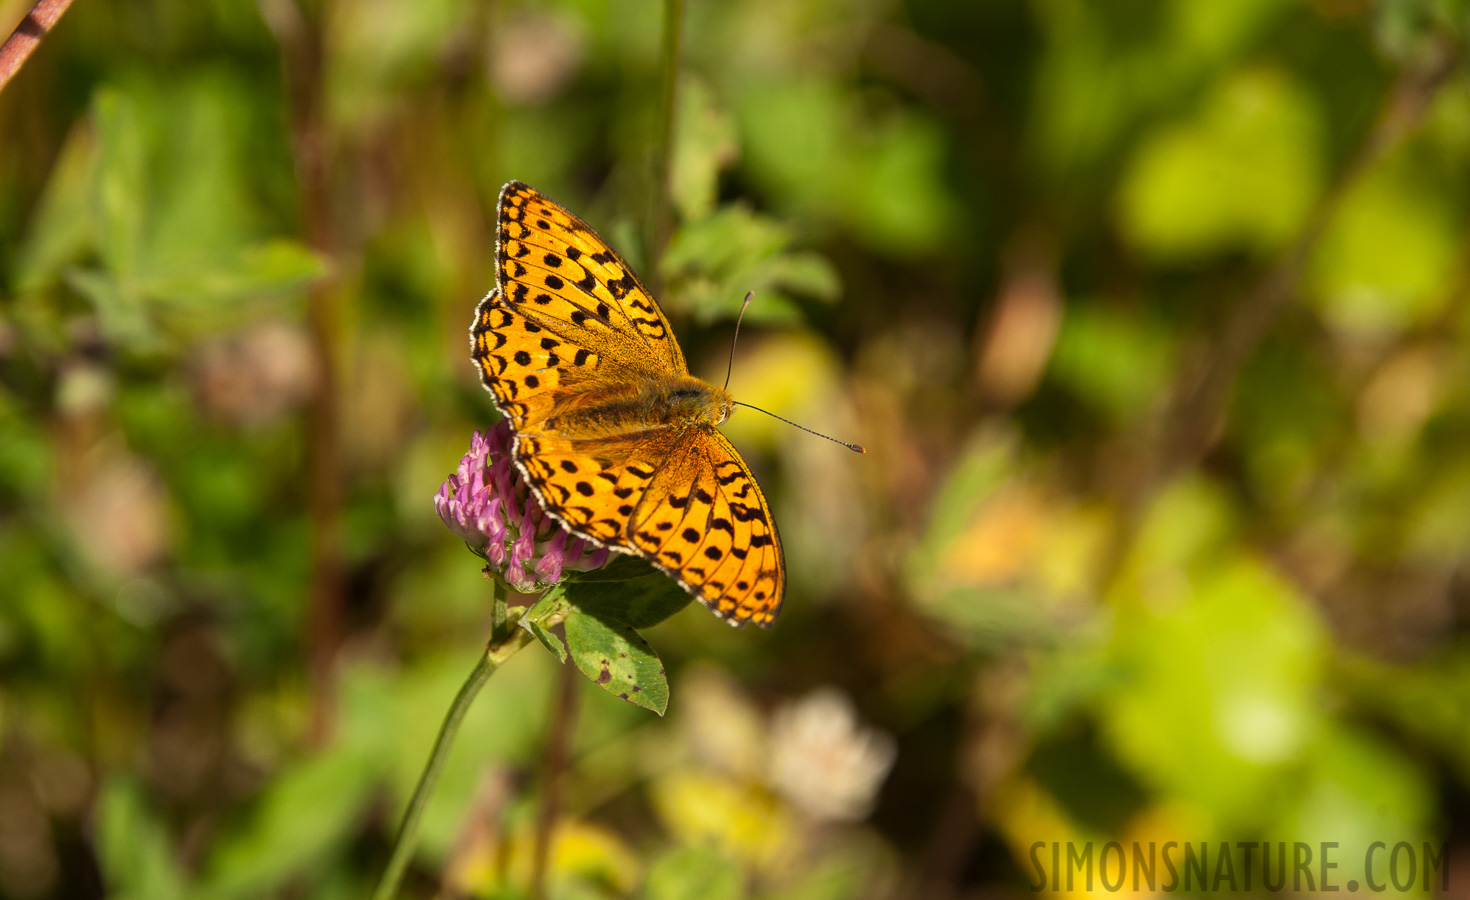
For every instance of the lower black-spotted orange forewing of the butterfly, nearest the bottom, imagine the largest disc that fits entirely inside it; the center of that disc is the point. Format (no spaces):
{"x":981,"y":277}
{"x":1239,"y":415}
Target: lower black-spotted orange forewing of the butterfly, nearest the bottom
{"x":706,"y":523}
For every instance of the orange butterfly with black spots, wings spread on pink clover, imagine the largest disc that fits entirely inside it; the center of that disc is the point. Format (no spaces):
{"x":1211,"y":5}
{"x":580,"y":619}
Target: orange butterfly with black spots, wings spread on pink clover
{"x":615,"y":437}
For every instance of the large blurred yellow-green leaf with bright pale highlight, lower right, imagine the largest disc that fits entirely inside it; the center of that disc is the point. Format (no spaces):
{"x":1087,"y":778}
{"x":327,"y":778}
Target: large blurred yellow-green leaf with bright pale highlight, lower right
{"x":1222,"y":701}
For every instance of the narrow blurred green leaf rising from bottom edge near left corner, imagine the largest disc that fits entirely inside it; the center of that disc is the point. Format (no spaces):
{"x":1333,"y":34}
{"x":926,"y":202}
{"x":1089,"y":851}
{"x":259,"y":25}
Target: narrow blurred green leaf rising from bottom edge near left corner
{"x":135,"y":849}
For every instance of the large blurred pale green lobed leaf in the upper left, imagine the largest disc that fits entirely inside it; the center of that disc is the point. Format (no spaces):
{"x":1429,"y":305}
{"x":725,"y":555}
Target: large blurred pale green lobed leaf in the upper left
{"x":162,"y":196}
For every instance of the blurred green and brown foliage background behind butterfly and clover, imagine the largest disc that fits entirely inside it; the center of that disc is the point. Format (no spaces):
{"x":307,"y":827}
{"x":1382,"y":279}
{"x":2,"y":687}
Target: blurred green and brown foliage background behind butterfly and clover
{"x":1152,"y":315}
